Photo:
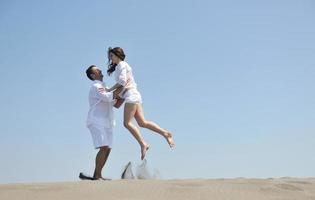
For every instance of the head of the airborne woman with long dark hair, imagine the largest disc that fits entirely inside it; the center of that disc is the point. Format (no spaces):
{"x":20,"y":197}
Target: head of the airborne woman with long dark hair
{"x":115,"y":55}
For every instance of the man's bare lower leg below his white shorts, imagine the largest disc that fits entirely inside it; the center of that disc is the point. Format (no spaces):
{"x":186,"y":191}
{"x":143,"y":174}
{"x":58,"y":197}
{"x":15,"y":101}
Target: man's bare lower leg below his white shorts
{"x":100,"y":161}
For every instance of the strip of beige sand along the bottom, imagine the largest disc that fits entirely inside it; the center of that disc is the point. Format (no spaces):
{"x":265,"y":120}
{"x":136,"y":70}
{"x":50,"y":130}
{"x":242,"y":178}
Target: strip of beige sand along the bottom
{"x":239,"y":188}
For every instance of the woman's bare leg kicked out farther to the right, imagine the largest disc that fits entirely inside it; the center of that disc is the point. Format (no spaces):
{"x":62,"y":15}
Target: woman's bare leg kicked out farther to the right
{"x":142,"y":122}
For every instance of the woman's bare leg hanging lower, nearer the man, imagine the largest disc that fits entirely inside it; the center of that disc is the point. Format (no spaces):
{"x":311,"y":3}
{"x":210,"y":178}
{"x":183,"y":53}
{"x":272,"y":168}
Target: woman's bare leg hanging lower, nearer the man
{"x":129,"y":112}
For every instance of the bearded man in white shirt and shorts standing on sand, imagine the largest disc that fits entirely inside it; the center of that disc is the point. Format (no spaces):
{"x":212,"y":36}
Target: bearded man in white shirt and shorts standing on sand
{"x":100,"y":120}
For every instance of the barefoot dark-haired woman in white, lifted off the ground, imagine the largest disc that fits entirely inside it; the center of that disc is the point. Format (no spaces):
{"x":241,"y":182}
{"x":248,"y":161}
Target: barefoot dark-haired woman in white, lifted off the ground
{"x":133,"y":102}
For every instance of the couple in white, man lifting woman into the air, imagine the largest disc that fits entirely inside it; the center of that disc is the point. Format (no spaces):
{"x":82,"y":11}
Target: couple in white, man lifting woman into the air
{"x":100,"y":119}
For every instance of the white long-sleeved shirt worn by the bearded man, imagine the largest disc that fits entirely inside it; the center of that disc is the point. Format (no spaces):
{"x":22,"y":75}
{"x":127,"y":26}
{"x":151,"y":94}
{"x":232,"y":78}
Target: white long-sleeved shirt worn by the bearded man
{"x":101,"y":110}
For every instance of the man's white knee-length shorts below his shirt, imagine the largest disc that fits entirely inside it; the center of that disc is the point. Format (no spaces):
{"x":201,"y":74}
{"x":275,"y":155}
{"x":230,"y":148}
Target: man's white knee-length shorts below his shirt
{"x":101,"y":136}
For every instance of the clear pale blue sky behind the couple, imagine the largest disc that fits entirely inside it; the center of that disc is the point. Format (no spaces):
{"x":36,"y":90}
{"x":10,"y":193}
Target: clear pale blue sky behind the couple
{"x":233,"y":80}
